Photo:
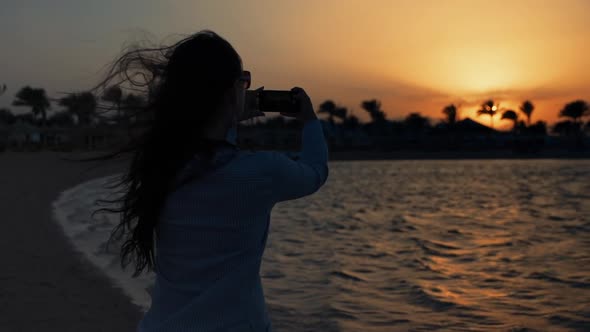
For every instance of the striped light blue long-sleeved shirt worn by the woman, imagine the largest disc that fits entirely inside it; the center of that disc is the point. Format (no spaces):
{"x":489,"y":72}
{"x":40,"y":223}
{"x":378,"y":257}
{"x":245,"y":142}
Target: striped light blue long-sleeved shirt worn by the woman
{"x":212,"y":235}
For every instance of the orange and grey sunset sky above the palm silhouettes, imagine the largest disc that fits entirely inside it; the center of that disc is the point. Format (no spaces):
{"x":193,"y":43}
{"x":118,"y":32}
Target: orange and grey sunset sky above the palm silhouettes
{"x":415,"y":55}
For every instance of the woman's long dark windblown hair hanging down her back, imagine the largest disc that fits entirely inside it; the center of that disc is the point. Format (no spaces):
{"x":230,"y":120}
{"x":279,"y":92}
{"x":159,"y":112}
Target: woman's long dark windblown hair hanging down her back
{"x":185,"y":83}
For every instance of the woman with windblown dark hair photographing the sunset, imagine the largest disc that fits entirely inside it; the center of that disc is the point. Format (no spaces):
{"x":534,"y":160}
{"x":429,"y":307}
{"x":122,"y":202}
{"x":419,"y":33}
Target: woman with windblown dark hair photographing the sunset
{"x":195,"y":208}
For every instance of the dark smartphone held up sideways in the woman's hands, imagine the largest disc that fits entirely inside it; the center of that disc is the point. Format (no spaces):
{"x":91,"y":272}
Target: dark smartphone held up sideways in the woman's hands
{"x":272,"y":100}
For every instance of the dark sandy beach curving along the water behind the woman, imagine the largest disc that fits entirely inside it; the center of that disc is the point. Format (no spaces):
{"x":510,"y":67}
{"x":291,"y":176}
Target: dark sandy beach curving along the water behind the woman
{"x":46,"y":284}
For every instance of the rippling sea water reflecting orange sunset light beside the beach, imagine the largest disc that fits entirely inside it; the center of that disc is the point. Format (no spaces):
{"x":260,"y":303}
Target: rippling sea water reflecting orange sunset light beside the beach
{"x":477,"y":245}
